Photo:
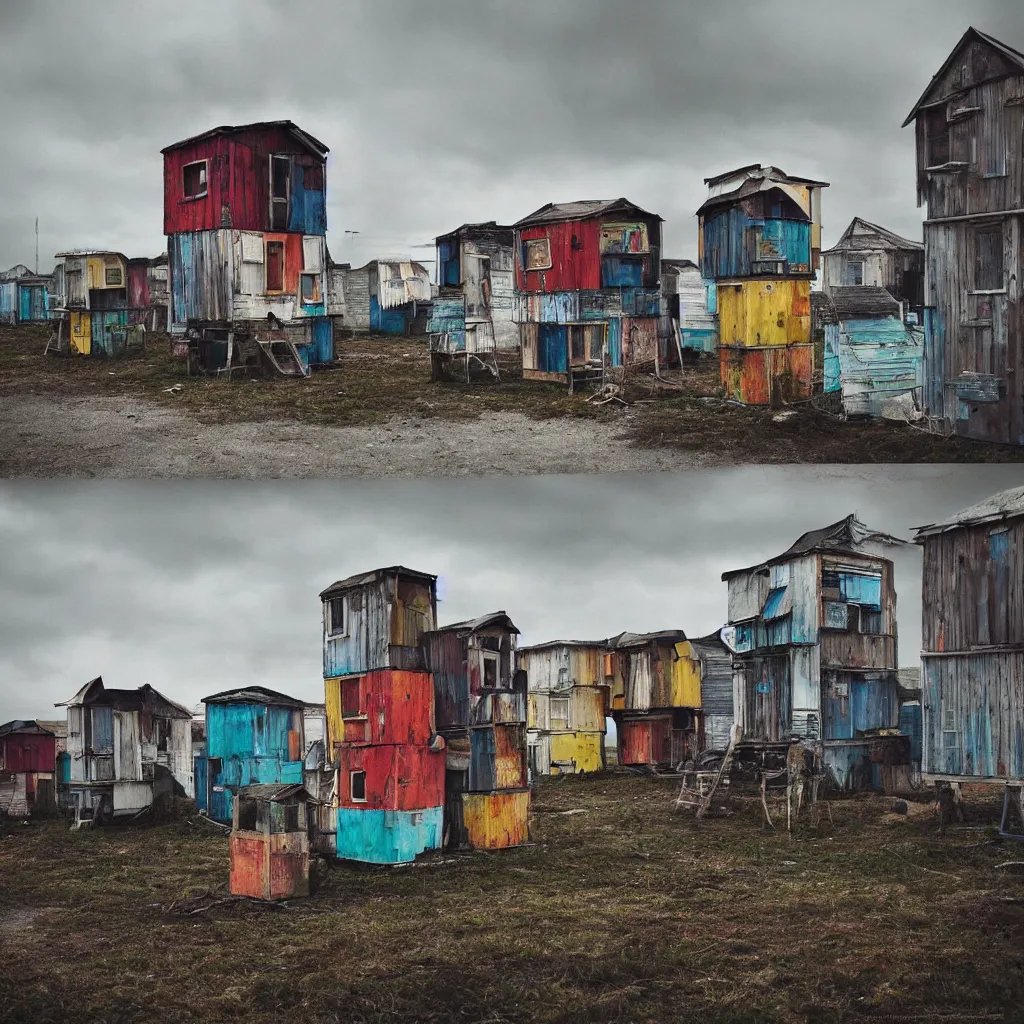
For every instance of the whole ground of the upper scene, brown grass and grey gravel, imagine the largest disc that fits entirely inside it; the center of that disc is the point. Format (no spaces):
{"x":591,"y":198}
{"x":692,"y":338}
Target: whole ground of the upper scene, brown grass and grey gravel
{"x":378,"y":414}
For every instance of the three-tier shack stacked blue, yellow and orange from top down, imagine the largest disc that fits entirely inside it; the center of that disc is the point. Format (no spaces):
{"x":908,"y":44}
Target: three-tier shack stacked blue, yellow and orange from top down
{"x":760,"y":241}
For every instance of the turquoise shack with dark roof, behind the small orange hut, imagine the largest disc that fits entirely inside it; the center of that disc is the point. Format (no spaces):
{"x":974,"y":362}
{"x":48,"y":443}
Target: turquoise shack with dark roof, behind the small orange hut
{"x":254,"y":737}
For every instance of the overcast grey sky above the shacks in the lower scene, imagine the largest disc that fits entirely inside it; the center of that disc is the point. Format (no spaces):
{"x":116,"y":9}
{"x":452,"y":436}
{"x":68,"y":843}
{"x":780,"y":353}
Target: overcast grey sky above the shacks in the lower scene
{"x":200,"y":587}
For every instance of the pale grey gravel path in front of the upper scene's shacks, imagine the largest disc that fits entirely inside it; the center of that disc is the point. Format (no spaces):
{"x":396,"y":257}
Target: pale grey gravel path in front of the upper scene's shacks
{"x":127,"y":438}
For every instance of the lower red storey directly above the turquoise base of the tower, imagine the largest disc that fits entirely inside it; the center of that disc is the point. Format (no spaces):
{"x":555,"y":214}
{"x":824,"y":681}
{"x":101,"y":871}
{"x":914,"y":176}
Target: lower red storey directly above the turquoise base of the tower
{"x":400,"y":778}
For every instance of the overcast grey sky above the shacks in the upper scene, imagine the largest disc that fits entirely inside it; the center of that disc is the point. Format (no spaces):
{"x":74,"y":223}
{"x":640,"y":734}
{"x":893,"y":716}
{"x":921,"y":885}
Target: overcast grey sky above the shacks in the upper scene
{"x":467,"y":110}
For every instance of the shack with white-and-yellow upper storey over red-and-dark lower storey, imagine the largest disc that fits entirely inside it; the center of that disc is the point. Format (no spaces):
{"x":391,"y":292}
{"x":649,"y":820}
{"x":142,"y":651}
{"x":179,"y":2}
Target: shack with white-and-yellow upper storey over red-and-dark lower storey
{"x":656,"y":699}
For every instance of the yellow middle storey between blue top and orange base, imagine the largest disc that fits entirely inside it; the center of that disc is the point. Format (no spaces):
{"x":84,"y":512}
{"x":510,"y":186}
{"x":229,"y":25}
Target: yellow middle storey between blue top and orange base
{"x":765,"y":313}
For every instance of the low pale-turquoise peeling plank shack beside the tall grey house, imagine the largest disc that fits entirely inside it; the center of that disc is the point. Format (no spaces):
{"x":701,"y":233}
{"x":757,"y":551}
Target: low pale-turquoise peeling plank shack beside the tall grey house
{"x":873,"y":358}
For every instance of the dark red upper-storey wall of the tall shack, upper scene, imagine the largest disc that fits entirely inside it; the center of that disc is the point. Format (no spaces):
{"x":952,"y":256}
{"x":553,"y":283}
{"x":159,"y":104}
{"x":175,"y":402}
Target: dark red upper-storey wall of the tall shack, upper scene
{"x":238,"y":177}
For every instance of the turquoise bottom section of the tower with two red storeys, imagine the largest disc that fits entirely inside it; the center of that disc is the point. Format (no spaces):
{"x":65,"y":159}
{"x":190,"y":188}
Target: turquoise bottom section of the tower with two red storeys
{"x":389,"y":837}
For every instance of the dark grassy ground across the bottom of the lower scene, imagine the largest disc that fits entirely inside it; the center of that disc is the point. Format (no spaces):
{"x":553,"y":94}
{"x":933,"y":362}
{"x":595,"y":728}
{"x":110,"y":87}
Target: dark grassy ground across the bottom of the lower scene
{"x":628,"y":912}
